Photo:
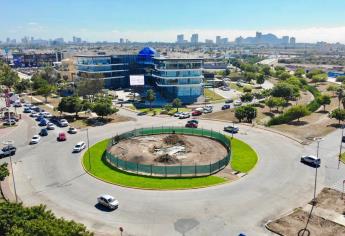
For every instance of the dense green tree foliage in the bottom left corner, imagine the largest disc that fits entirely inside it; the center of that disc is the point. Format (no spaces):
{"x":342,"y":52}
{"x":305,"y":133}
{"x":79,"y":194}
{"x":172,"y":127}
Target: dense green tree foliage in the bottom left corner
{"x":18,"y":220}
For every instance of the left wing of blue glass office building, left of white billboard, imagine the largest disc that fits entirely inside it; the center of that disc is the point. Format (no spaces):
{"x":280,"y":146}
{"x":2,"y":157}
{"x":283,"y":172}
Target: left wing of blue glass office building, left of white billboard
{"x":111,"y":69}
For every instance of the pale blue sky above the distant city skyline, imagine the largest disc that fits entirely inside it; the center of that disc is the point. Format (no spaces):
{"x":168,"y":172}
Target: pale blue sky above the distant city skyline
{"x":162,"y":20}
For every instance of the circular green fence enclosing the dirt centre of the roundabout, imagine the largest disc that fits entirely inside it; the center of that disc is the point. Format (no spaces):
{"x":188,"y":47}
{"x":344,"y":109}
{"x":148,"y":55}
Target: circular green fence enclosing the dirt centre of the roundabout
{"x":169,"y":170}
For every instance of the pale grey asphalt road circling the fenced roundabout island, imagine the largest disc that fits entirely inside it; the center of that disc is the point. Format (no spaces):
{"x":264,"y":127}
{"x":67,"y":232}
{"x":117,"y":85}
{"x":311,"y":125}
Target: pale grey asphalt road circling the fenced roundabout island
{"x":49,"y":173}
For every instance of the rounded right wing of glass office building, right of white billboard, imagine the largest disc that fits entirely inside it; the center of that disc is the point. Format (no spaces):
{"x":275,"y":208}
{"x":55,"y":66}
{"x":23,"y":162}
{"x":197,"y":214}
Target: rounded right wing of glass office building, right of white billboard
{"x":179,"y":78}
